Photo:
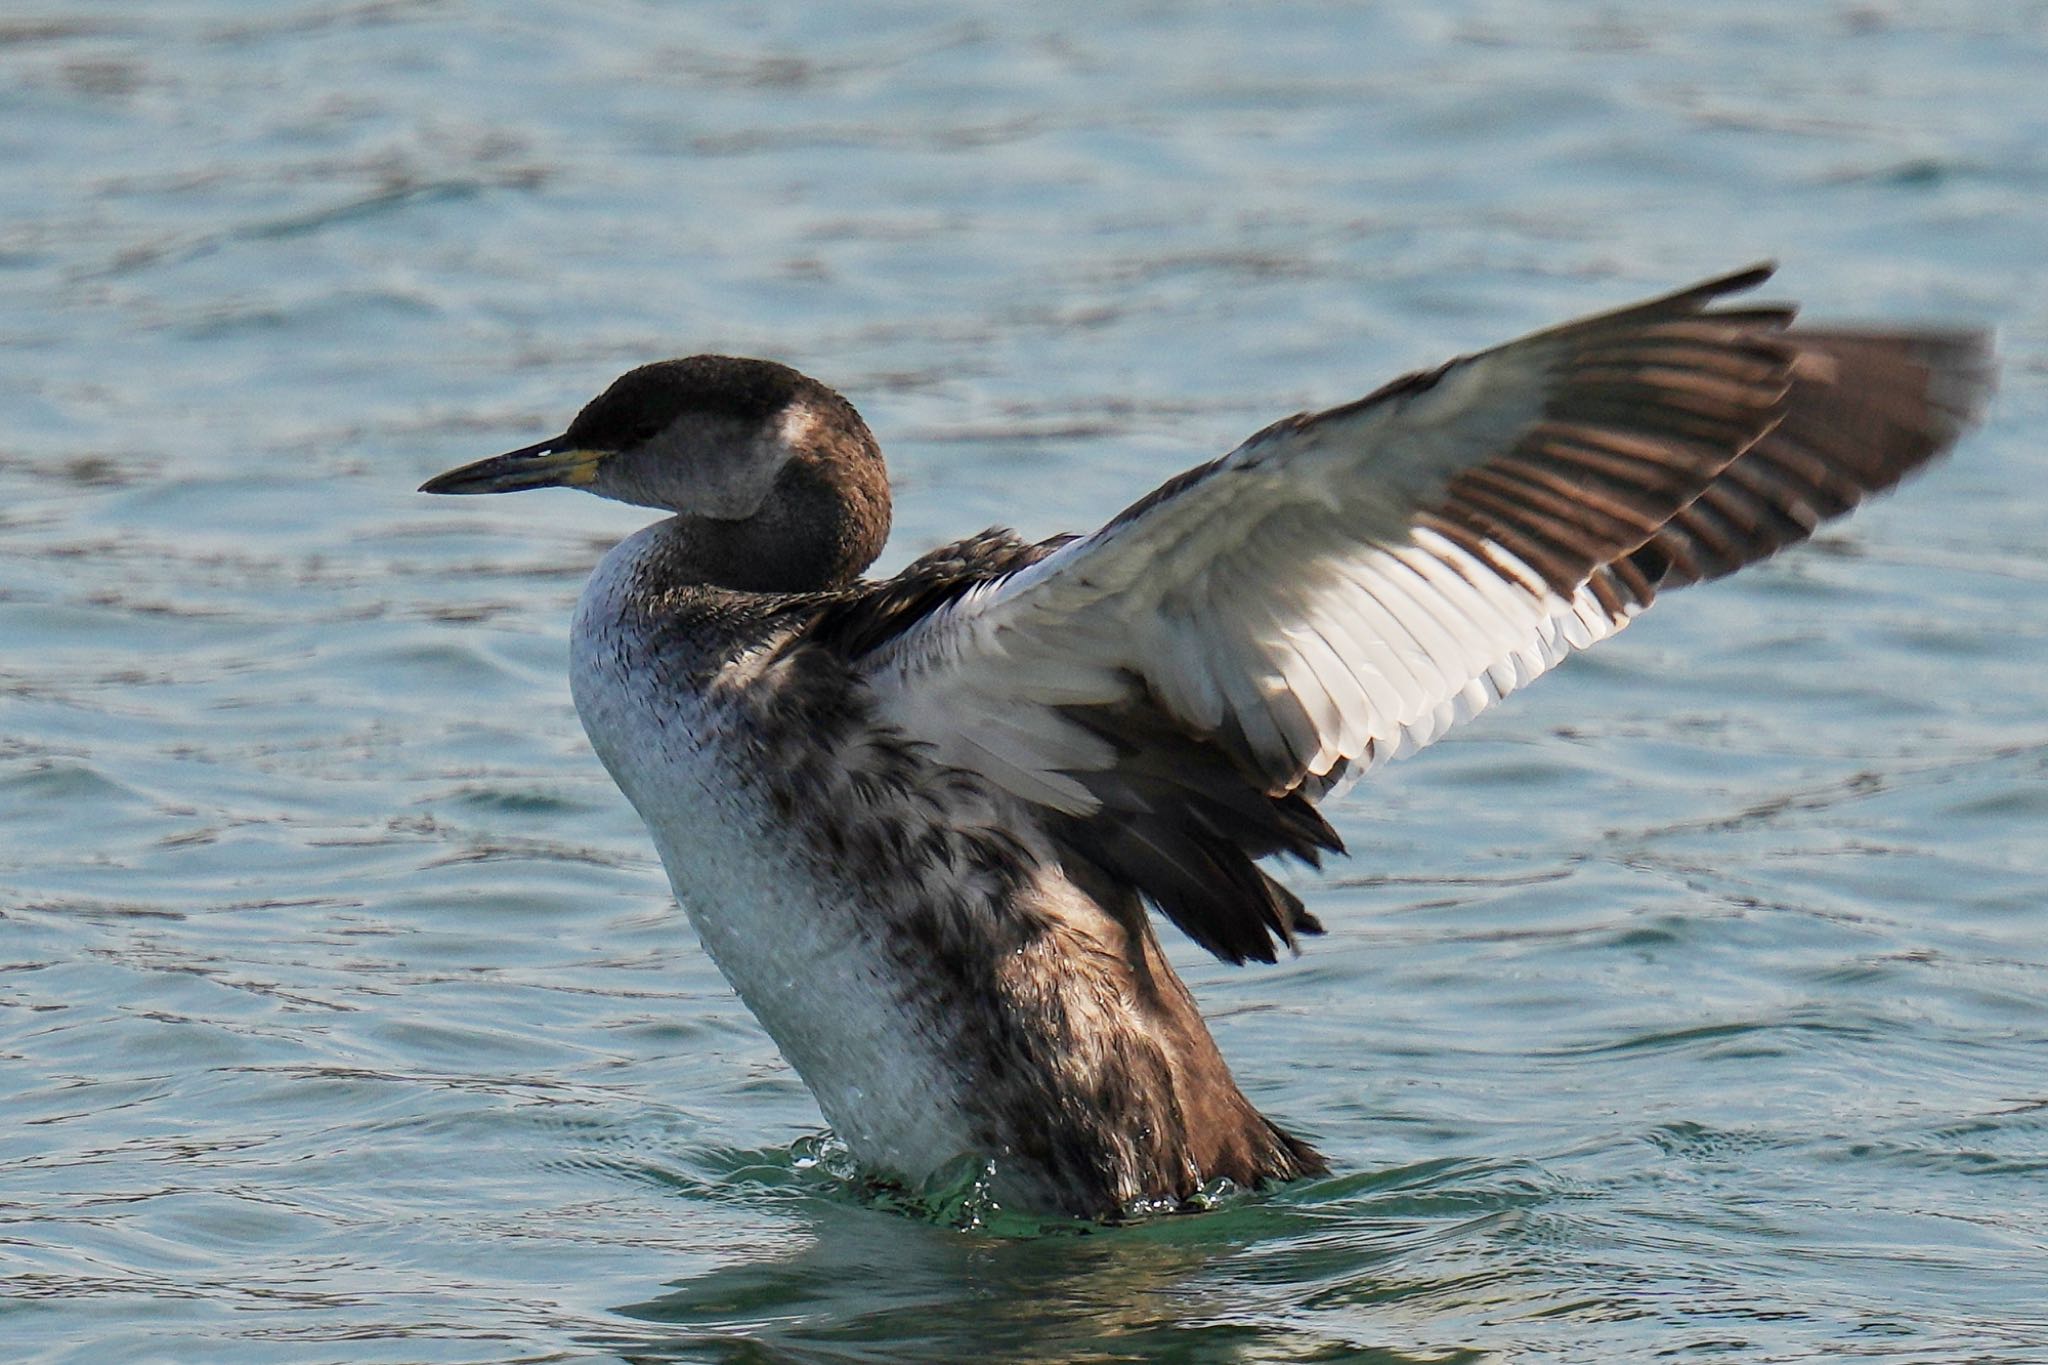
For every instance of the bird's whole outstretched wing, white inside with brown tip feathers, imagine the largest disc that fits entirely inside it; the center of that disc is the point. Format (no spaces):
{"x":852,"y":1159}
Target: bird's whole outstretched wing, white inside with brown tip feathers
{"x":1179,"y":689}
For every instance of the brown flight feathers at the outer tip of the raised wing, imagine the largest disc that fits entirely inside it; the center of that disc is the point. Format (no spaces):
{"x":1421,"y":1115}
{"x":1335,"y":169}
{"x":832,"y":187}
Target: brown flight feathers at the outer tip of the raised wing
{"x":1682,"y":439}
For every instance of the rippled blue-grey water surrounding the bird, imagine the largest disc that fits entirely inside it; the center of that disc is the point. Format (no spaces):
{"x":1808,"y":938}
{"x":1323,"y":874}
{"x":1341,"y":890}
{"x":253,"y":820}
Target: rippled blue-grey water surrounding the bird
{"x":1695,"y":1006}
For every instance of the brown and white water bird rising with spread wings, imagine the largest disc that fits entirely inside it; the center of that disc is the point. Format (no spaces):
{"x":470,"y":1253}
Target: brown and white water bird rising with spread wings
{"x":919,"y":822}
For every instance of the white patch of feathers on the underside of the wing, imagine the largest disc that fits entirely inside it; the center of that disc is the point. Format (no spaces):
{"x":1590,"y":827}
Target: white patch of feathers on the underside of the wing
{"x":1371,"y":658}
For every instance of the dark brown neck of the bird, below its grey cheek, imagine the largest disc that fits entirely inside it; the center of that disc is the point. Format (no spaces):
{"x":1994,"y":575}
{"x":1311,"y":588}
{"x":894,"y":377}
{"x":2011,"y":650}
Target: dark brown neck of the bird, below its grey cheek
{"x":820,"y":527}
